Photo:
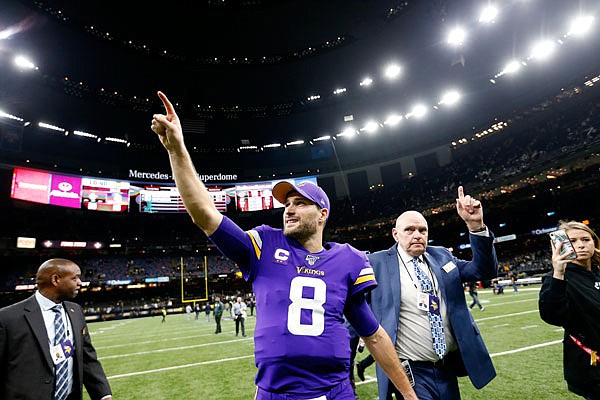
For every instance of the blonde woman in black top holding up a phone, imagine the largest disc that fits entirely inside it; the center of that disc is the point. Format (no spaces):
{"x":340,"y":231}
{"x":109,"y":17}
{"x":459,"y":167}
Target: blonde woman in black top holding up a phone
{"x":570,"y":297}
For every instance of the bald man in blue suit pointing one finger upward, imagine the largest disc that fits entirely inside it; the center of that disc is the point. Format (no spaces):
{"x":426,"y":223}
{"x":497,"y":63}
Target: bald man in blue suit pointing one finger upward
{"x":421,"y":286}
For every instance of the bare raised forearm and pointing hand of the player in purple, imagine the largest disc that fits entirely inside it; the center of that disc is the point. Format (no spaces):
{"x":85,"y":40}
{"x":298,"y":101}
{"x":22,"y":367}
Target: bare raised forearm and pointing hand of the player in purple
{"x":195,"y":197}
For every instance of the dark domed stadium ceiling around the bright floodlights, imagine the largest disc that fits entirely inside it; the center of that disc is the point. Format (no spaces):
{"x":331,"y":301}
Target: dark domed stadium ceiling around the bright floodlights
{"x":241,"y":72}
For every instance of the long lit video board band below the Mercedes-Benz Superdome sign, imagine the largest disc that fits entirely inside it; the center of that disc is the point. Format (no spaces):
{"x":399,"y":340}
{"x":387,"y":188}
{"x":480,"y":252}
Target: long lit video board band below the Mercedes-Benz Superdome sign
{"x":116,"y":196}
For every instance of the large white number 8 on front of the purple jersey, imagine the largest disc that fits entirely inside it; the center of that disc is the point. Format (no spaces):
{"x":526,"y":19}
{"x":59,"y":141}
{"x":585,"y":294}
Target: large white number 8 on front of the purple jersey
{"x":314,"y":304}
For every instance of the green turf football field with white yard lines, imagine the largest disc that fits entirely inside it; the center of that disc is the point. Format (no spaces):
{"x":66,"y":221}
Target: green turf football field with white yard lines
{"x":184,"y":359}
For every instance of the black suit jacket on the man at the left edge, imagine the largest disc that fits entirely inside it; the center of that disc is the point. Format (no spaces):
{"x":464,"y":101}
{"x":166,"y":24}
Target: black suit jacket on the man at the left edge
{"x":26,"y":366}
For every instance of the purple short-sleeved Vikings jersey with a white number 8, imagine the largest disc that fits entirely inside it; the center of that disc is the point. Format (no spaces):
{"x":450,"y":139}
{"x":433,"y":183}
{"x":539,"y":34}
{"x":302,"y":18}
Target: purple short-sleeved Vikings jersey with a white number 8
{"x":301,"y":344}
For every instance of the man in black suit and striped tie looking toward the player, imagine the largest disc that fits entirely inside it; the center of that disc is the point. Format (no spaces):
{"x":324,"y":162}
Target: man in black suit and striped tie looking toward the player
{"x":34,"y":347}
